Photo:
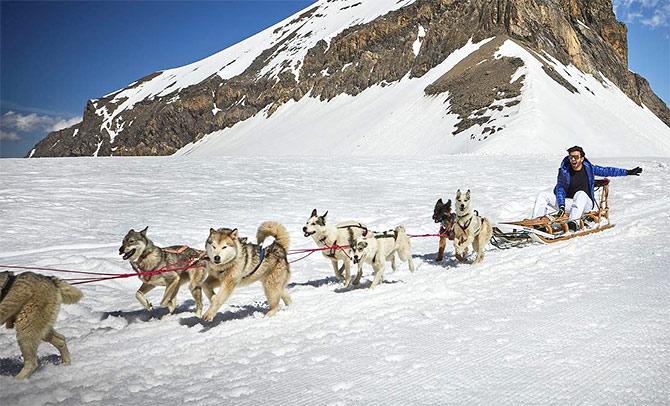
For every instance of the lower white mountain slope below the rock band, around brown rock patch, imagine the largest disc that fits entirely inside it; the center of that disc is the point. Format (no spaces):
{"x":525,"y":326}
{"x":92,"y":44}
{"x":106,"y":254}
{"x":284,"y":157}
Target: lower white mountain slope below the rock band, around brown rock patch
{"x":399,"y":119}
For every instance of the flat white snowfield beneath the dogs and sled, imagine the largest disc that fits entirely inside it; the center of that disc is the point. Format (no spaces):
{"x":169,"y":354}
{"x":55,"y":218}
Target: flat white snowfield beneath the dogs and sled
{"x":577,"y":322}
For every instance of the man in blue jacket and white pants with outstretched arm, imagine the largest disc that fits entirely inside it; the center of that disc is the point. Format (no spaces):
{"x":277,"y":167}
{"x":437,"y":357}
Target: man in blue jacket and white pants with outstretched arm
{"x":574,"y":186}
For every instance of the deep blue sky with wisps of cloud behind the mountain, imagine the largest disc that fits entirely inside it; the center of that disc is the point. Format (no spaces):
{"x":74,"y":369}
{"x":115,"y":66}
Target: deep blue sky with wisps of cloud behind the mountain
{"x":56,"y":55}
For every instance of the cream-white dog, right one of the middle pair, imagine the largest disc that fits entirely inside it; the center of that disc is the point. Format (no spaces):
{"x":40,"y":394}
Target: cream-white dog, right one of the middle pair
{"x":376,"y":248}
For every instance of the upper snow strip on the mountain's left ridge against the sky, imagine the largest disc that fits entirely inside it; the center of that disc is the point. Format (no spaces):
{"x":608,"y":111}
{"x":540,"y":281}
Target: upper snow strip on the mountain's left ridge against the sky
{"x":298,"y":36}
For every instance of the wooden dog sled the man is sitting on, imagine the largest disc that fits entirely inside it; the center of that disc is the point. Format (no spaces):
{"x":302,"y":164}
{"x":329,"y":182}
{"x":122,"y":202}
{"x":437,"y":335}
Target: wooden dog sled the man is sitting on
{"x":549,"y":229}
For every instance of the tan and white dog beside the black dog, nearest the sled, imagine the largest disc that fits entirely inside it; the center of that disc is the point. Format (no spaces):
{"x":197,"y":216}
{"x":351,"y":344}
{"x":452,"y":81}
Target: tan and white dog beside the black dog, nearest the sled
{"x":470,"y":229}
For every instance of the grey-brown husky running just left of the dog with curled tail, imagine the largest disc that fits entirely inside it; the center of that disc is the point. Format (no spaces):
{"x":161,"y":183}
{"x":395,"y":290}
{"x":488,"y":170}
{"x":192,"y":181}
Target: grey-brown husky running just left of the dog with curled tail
{"x":144,"y":256}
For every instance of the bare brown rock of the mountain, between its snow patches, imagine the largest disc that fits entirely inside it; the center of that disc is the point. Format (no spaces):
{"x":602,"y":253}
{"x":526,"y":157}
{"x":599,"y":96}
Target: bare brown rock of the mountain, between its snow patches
{"x":584,"y":33}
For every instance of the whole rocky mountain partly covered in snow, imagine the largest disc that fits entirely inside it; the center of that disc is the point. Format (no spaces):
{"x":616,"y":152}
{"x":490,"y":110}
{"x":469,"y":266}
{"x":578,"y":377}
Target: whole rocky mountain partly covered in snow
{"x":389,"y":77}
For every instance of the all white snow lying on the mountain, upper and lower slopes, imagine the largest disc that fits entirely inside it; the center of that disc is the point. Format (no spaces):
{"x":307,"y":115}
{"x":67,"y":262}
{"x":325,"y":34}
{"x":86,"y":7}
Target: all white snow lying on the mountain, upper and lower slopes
{"x":399,"y":119}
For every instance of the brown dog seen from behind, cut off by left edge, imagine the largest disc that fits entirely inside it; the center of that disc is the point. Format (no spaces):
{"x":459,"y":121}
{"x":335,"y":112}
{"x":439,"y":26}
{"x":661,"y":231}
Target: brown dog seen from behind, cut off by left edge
{"x":30,"y":302}
